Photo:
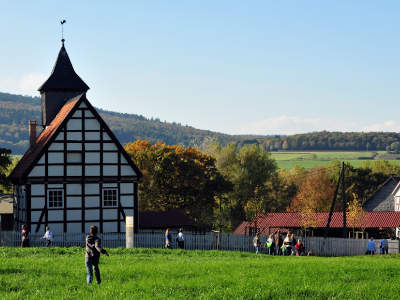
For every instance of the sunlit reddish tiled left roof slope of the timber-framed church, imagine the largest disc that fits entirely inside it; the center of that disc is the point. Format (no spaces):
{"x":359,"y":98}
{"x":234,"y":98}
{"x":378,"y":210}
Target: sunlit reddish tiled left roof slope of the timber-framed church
{"x":32,"y":155}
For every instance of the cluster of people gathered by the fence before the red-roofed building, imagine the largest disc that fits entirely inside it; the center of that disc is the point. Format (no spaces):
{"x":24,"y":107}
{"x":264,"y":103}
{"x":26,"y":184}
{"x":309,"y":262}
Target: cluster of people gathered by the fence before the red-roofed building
{"x":276,"y":244}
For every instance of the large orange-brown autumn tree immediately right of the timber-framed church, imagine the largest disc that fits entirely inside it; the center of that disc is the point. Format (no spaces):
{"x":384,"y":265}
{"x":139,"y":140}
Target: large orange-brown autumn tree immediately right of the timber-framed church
{"x":177,"y":178}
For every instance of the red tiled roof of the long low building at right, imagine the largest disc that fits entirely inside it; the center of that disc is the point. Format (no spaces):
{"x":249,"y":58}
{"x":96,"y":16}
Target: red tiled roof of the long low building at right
{"x":382,"y":219}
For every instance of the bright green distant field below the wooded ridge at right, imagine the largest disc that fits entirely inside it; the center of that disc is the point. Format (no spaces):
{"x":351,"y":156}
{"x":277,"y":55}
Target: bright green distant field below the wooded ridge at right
{"x":288,"y":160}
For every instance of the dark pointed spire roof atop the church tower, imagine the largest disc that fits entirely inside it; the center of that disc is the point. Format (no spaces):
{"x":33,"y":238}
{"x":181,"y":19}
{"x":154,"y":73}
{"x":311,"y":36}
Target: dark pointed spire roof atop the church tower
{"x":63,"y":76}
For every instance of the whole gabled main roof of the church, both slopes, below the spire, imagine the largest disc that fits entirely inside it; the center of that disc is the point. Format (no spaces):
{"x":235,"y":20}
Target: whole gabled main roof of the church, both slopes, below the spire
{"x":31,"y":157}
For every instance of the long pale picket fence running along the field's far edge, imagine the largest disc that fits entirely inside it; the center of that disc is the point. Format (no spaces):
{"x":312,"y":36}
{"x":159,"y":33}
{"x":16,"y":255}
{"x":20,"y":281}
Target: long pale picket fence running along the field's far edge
{"x":207,"y":241}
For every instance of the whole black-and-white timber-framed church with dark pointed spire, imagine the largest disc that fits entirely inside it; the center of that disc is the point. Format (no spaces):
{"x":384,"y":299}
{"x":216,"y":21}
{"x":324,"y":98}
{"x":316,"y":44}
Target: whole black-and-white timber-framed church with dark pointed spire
{"x":75,"y":173}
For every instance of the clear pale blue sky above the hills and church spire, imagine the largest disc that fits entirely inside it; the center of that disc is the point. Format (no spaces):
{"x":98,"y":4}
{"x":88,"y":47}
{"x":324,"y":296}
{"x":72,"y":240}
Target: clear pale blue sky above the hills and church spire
{"x":239,"y":67}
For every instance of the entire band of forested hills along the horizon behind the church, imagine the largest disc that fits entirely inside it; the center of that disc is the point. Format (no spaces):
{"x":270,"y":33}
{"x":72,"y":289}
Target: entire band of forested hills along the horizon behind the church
{"x":16,"y":111}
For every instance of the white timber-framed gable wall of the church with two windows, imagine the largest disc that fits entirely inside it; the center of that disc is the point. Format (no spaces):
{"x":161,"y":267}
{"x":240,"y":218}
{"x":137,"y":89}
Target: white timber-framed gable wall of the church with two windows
{"x":83,"y":177}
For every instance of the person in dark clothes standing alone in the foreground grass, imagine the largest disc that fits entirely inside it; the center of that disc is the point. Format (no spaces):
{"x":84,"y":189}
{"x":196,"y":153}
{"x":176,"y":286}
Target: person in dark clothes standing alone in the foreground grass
{"x":92,"y":257}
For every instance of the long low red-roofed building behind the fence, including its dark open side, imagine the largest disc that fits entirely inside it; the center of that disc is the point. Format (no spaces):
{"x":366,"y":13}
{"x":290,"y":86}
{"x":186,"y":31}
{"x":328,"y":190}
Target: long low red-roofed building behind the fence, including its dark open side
{"x":375,"y":224}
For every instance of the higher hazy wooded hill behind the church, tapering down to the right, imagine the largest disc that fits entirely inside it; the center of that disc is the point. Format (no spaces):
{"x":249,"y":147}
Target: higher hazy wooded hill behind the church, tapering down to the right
{"x":16,"y":111}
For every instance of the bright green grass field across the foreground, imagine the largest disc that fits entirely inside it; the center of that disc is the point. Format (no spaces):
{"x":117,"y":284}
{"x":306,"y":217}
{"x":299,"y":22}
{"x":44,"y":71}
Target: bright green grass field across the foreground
{"x":59,"y":273}
